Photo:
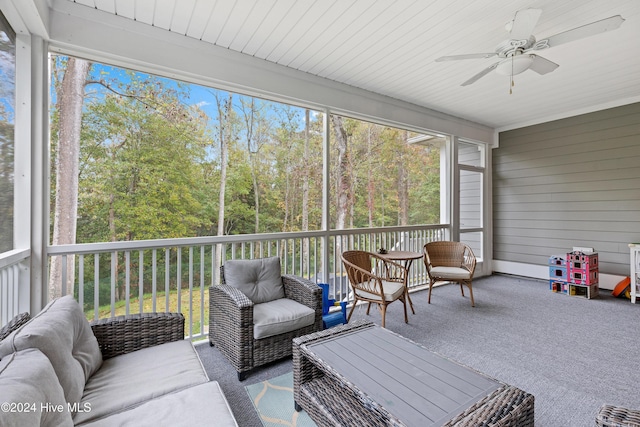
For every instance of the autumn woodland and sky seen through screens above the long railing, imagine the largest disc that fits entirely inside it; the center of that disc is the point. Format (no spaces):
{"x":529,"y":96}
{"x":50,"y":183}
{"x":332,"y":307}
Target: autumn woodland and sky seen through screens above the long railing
{"x":151,"y":164}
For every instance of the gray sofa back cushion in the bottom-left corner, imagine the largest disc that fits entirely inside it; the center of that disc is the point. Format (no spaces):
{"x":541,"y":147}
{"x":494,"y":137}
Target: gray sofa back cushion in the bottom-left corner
{"x":30,"y":388}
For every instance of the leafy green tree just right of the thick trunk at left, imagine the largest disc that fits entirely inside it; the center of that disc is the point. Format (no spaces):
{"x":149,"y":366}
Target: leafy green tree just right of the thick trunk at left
{"x":142,"y":148}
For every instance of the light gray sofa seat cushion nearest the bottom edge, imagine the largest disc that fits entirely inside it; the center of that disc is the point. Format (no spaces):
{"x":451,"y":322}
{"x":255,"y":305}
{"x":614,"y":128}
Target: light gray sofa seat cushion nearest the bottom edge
{"x":201,"y":405}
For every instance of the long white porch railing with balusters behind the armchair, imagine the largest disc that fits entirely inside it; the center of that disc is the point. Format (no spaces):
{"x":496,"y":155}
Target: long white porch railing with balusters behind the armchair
{"x":160,"y":275}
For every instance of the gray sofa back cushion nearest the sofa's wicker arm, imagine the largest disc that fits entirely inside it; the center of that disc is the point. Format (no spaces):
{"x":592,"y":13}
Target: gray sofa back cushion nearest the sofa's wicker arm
{"x":63,"y":334}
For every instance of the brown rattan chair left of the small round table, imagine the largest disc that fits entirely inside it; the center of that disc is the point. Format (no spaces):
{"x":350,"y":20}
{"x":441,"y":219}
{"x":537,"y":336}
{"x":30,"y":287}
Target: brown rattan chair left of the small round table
{"x":375,"y":280}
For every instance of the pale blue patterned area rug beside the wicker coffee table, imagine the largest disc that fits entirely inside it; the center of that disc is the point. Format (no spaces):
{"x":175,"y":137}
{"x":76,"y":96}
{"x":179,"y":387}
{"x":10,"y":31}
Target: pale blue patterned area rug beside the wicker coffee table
{"x":273,"y":400}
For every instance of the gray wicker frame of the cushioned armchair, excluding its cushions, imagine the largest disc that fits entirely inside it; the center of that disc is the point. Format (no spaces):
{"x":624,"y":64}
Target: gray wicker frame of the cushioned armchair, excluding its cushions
{"x":231,"y":323}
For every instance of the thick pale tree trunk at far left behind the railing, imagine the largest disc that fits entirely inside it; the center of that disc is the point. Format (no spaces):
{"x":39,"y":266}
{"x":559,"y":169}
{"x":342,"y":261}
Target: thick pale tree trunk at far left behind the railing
{"x":70,"y":100}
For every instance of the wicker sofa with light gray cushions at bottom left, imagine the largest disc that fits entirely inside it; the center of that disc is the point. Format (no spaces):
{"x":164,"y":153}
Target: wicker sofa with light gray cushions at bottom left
{"x":59,"y":370}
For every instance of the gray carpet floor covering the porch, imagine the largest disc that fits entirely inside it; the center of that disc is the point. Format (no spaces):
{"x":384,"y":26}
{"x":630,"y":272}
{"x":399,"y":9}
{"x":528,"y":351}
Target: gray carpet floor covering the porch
{"x":571,"y":353}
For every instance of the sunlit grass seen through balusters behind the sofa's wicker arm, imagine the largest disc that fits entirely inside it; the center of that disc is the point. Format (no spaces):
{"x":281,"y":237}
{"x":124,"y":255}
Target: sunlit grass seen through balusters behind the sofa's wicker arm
{"x":147,"y":303}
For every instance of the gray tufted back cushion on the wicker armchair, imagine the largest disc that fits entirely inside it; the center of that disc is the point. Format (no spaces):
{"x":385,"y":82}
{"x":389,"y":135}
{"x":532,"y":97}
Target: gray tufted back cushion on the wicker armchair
{"x":259,"y":279}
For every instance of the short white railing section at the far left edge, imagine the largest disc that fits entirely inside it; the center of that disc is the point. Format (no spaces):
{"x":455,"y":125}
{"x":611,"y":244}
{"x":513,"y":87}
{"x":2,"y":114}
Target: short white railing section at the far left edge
{"x":14,"y":289}
